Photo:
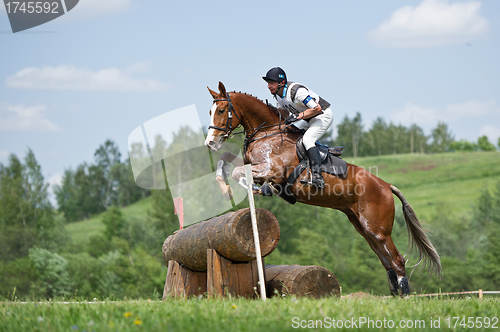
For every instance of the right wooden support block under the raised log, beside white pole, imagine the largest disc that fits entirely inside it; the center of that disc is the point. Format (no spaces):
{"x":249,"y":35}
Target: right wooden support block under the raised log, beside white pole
{"x":228,"y":278}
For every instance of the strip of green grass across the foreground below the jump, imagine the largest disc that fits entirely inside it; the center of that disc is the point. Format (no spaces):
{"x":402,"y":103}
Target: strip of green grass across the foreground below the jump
{"x":251,"y":315}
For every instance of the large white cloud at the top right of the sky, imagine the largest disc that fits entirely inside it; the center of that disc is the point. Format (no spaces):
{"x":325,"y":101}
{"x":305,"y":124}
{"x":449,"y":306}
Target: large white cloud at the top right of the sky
{"x":431,"y":23}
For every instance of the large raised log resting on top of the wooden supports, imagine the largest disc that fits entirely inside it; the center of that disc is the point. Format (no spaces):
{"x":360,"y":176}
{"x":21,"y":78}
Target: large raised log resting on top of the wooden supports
{"x":230,"y":235}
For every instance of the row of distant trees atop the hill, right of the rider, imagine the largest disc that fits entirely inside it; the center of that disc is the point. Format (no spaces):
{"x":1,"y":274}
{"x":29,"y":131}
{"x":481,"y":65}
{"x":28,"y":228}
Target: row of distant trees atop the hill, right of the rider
{"x":387,"y":138}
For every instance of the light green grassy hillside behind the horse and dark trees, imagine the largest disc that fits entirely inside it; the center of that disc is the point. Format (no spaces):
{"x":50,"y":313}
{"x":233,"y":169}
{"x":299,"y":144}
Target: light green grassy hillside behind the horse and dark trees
{"x":429,"y":182}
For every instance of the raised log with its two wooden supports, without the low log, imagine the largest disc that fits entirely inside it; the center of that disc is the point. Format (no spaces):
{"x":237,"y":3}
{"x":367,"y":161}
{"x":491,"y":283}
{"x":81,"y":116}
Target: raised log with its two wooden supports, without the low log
{"x":217,"y":256}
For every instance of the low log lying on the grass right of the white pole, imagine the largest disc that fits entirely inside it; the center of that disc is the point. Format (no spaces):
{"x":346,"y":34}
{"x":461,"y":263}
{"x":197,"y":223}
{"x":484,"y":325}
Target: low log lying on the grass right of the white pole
{"x":312,"y":281}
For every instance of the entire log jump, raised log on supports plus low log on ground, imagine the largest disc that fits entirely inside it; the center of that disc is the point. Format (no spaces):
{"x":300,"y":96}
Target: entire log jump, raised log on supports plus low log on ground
{"x":217,"y":257}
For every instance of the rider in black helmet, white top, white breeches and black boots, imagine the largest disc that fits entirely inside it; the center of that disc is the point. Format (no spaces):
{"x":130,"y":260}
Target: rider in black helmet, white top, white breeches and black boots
{"x":307,"y":110}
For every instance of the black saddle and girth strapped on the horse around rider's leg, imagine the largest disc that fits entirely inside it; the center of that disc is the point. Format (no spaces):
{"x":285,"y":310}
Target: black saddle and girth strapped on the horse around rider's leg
{"x":330,"y":164}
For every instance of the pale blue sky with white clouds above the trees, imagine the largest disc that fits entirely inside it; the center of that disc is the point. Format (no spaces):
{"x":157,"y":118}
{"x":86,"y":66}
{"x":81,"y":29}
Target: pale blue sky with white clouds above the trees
{"x":106,"y":67}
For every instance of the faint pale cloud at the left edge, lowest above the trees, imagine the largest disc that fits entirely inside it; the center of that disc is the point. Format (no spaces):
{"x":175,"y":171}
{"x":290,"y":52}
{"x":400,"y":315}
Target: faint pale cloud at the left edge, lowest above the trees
{"x":25,"y":118}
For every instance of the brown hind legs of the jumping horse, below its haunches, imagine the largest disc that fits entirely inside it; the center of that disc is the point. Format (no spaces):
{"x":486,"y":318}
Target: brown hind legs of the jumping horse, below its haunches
{"x":380,"y":241}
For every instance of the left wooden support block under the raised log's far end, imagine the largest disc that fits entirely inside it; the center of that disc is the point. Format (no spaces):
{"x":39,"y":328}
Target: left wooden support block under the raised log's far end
{"x":183,"y":282}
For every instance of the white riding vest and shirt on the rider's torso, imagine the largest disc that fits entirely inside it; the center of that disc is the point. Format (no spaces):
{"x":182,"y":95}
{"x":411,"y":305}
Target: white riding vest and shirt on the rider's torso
{"x":297,"y":98}
